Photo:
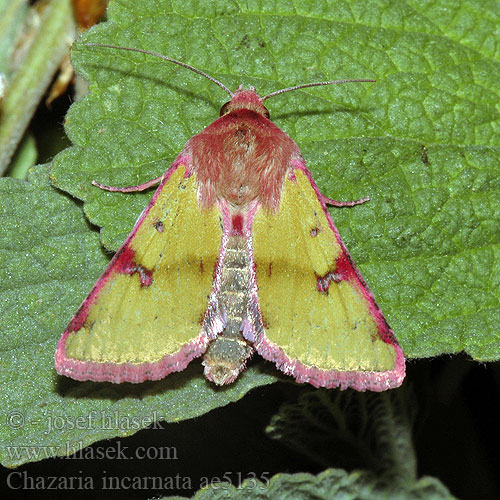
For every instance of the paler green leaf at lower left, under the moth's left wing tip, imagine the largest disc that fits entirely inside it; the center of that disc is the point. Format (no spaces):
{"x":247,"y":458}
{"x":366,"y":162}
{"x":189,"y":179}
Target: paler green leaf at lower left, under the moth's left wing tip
{"x":49,"y":259}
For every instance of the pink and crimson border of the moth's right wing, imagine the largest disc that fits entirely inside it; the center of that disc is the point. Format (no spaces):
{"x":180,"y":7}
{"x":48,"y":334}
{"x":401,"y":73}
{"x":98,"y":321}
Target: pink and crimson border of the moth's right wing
{"x":360,"y":381}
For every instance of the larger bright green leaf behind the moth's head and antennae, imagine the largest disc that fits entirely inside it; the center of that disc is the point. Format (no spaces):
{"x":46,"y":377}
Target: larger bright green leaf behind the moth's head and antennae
{"x":420,"y":142}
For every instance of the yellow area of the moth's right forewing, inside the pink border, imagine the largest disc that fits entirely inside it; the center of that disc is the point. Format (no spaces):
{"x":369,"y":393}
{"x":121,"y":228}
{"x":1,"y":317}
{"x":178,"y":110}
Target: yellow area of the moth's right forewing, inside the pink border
{"x":329,"y":331}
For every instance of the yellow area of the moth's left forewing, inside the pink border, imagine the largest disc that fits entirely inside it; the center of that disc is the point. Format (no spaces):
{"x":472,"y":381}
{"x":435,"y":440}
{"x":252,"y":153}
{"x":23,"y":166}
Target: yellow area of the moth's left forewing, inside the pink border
{"x":129,"y":321}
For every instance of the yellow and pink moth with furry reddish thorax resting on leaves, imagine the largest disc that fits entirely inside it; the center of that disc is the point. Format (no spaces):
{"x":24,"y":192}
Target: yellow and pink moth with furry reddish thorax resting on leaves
{"x":236,"y":253}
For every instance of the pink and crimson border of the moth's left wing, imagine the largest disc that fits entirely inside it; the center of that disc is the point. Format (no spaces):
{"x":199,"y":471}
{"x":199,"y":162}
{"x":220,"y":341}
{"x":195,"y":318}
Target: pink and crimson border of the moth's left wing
{"x":126,"y":372}
